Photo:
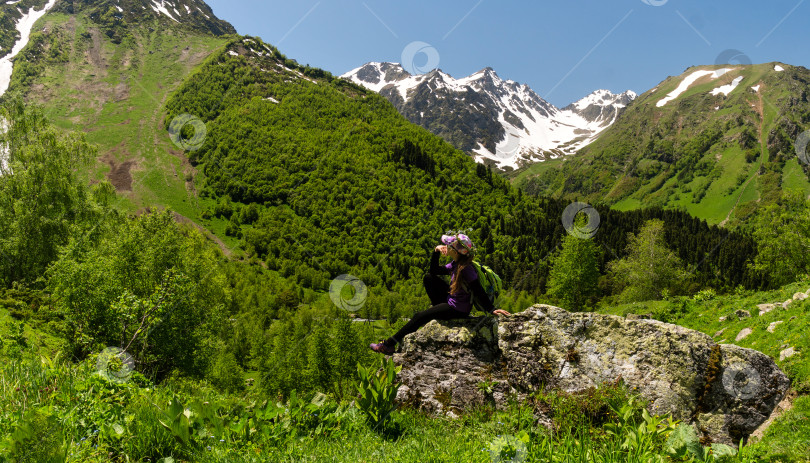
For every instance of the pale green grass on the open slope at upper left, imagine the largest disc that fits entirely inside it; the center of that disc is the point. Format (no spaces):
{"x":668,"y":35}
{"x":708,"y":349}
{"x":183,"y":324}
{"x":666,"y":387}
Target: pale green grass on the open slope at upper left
{"x":118,"y":100}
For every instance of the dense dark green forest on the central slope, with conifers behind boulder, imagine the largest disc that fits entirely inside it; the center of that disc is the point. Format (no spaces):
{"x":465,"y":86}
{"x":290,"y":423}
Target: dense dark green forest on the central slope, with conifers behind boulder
{"x":332,"y":180}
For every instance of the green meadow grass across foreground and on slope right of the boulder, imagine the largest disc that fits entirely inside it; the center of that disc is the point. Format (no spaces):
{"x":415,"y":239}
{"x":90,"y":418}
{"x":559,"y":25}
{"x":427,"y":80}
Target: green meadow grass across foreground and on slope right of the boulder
{"x":87,"y":408}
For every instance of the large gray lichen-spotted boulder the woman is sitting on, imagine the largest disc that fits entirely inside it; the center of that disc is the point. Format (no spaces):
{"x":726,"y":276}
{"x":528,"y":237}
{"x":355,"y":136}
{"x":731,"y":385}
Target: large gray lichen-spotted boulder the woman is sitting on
{"x":725,"y":390}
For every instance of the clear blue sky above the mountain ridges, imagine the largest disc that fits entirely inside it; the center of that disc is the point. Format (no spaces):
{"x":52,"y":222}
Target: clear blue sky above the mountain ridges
{"x":563,"y":49}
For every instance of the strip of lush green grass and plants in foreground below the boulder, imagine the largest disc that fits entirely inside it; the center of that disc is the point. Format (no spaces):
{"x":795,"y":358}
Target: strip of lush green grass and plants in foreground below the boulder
{"x":99,"y":420}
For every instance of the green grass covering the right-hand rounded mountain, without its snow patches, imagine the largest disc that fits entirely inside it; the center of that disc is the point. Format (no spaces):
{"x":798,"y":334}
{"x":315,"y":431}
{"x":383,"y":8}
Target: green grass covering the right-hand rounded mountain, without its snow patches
{"x":601,"y":169}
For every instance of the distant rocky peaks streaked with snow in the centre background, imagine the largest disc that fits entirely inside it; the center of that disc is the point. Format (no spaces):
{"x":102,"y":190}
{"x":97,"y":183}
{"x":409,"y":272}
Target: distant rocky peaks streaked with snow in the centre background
{"x":532,"y":129}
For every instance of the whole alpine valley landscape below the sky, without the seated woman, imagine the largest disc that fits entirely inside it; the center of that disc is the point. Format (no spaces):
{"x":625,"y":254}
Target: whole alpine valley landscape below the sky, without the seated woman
{"x":200,"y":239}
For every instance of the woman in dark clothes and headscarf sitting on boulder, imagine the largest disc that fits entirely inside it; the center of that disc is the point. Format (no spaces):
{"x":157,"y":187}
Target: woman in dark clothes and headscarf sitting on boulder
{"x":448,"y":301}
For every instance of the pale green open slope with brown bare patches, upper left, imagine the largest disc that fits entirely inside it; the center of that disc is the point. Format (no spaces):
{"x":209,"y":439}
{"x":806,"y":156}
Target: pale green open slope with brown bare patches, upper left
{"x":114,"y":93}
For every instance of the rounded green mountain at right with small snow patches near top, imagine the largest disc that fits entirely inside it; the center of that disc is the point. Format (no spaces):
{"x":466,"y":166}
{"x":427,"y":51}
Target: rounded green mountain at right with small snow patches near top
{"x":715,"y":156}
